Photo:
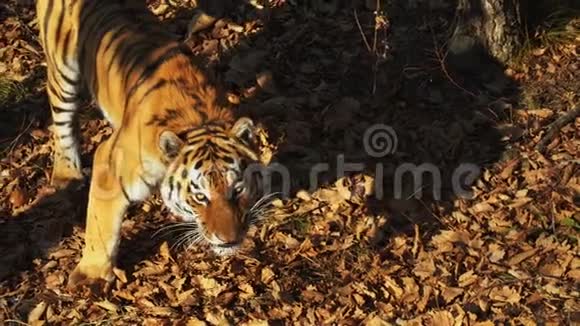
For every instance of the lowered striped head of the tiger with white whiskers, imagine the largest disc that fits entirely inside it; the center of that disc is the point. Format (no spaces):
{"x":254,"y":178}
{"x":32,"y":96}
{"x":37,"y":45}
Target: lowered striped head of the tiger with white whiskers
{"x":207,"y":186}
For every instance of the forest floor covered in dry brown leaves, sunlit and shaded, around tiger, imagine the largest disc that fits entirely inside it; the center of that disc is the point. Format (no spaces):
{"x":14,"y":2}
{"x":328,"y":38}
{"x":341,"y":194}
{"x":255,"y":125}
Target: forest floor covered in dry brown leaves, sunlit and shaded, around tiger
{"x":316,"y":78}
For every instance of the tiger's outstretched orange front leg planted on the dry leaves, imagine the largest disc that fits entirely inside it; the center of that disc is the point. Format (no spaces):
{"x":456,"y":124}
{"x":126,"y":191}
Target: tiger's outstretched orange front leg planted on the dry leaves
{"x":108,"y":202}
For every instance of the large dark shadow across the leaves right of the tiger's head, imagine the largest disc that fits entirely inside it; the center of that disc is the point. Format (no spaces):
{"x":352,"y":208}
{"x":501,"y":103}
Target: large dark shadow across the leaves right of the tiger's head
{"x":434,"y":128}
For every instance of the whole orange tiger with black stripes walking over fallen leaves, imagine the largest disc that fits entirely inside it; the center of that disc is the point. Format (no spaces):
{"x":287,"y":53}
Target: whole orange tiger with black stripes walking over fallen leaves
{"x":174,"y":131}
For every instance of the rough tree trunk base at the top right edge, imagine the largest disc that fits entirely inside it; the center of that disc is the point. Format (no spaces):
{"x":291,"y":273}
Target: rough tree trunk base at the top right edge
{"x":486,"y":28}
